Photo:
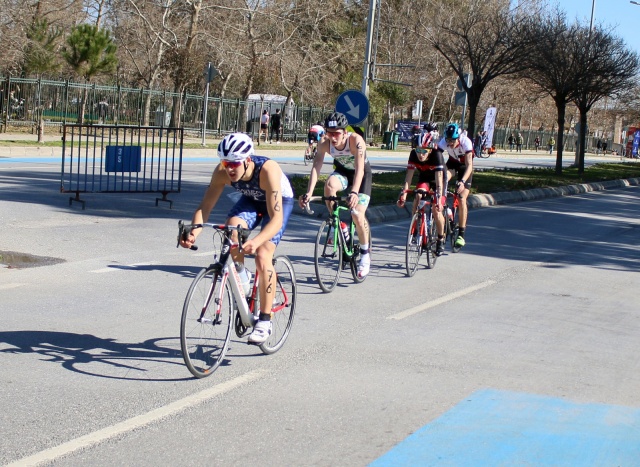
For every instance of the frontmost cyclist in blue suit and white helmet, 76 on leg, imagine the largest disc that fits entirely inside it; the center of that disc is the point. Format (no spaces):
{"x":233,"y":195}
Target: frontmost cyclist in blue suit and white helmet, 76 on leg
{"x":267,"y":199}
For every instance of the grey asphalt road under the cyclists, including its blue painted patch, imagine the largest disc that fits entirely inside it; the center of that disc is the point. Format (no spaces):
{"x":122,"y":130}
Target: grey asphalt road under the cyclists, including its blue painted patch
{"x":540,"y":310}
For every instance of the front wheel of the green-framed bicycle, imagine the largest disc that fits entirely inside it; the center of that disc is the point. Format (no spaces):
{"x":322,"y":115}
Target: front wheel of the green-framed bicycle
{"x":327,"y":256}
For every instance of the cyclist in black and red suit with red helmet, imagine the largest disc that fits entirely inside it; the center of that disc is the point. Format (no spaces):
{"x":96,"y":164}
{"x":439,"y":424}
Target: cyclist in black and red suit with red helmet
{"x":428,"y":159}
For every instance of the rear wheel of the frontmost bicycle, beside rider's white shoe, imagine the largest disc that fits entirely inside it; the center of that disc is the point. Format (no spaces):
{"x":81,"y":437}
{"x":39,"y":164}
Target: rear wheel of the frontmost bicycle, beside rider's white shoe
{"x":284,"y":305}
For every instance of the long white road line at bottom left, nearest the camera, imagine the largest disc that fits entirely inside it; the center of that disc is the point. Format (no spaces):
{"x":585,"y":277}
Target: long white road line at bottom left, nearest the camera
{"x":83,"y":442}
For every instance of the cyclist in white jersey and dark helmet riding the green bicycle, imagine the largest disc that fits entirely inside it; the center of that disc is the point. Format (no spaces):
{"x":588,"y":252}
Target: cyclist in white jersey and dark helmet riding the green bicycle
{"x":351,"y":169}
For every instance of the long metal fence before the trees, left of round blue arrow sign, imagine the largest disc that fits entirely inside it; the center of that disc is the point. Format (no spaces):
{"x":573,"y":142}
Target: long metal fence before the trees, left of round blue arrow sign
{"x":25,"y":102}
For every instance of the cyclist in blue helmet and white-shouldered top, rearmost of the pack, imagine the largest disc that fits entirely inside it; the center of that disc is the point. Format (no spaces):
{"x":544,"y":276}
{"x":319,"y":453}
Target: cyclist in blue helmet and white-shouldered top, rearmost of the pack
{"x":460,"y":163}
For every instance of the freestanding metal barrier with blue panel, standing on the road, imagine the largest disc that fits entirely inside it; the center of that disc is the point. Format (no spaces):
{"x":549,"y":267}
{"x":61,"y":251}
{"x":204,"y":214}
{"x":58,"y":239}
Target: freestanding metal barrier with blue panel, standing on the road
{"x":121,"y":159}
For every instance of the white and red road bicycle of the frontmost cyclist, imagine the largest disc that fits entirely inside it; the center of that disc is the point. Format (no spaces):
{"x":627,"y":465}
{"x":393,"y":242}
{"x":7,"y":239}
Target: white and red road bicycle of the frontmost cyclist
{"x":217,"y":302}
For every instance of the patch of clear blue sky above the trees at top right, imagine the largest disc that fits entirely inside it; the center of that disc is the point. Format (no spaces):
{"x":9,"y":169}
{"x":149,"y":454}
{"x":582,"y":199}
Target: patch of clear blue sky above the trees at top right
{"x":621,"y":15}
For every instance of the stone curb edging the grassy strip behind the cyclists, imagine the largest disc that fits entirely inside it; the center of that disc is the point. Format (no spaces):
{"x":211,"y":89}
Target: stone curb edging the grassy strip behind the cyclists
{"x":385,"y":213}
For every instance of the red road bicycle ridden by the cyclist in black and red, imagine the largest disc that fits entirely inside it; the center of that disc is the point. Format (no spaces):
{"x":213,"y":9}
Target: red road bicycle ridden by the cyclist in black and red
{"x":423,"y":235}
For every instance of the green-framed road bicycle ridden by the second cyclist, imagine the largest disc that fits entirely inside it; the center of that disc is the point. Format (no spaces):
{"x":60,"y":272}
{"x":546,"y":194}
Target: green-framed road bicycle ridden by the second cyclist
{"x":337,"y":244}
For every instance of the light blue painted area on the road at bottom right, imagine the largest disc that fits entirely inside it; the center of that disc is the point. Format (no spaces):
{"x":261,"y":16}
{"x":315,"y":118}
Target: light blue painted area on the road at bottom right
{"x":500,"y":428}
